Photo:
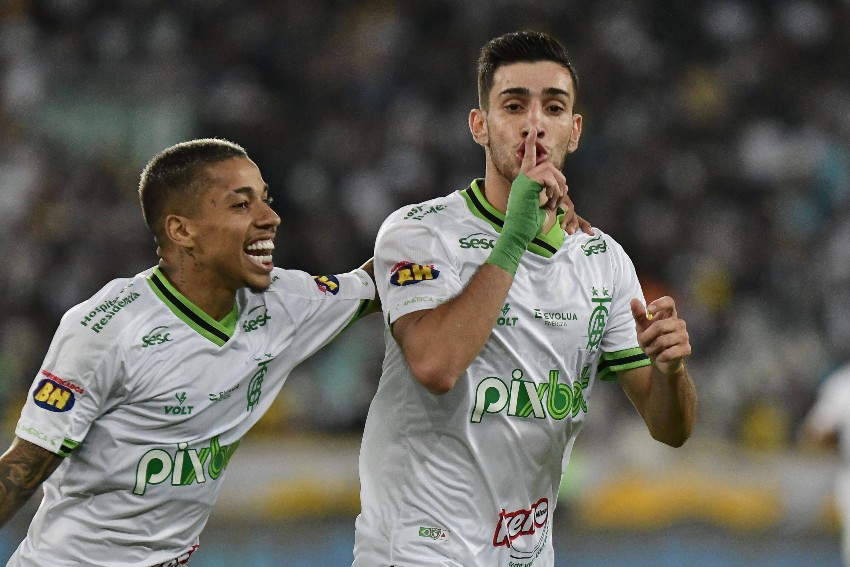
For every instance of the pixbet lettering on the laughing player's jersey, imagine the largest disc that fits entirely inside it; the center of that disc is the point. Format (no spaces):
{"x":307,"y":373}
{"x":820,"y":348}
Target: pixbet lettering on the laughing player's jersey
{"x":186,"y":466}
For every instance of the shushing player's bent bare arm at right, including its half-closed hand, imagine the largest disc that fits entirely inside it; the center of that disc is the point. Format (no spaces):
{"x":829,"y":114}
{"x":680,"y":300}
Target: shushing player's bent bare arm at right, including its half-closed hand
{"x":663,"y":392}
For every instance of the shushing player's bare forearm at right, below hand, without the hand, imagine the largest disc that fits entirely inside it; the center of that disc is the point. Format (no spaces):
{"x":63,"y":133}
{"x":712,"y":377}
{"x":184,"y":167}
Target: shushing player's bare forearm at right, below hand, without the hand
{"x":671,"y":407}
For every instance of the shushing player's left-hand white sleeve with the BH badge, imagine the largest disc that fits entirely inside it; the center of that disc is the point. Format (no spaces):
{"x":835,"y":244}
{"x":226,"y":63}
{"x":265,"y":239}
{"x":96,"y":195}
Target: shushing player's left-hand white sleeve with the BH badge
{"x":414,"y":270}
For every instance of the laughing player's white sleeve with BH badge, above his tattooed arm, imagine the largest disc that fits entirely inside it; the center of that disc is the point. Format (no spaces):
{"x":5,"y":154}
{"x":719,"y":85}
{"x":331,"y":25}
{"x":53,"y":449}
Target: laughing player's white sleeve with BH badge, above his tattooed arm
{"x":71,"y":389}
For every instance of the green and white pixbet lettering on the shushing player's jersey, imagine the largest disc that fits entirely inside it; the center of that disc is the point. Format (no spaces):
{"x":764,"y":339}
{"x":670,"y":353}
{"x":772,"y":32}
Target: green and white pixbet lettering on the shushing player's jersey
{"x":524,"y":398}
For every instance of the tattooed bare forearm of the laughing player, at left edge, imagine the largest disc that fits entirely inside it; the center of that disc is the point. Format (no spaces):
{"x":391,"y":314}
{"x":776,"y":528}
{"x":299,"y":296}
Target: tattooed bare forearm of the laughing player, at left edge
{"x":22,"y":470}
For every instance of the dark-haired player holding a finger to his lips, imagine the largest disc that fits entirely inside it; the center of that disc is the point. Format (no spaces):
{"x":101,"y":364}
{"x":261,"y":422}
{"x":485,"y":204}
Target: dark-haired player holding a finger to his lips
{"x":499,"y":327}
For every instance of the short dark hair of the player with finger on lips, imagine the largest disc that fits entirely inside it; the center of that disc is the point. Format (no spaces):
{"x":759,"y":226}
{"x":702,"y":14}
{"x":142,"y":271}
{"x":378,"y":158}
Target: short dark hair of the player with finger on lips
{"x":518,"y":47}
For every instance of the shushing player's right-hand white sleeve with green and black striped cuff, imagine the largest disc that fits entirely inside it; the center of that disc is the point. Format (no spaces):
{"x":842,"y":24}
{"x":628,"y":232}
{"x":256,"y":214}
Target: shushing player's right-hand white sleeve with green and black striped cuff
{"x":620,"y":349}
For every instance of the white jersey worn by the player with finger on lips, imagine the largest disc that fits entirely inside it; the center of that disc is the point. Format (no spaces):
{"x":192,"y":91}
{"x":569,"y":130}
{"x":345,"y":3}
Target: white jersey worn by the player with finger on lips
{"x":471,"y":477}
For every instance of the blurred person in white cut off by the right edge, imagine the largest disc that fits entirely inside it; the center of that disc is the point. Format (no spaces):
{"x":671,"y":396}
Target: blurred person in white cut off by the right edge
{"x":827,"y":425}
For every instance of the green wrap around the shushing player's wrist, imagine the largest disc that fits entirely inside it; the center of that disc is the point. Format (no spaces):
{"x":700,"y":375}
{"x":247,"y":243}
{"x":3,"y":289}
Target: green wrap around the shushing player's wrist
{"x":523,"y":220}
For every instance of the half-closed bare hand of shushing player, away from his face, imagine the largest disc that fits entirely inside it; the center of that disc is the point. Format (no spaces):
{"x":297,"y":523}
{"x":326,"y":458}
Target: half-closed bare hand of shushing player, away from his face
{"x":661,"y":334}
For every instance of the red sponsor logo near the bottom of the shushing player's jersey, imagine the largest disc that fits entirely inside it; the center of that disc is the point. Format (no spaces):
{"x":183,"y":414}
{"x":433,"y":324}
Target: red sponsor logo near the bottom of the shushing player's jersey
{"x":520,"y":524}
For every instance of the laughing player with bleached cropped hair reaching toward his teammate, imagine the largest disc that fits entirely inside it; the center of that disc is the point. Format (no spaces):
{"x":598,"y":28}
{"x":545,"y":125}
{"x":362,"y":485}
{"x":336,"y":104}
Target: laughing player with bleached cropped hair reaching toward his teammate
{"x":149,"y":386}
